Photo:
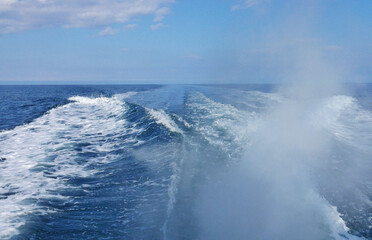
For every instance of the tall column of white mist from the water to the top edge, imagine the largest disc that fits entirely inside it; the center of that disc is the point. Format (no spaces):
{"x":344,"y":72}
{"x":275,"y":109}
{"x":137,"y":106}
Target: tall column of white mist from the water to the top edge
{"x":273,"y":192}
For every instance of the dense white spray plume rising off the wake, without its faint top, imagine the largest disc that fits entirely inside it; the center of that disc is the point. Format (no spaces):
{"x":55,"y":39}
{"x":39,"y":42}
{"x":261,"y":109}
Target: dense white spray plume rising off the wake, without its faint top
{"x":272,"y":194}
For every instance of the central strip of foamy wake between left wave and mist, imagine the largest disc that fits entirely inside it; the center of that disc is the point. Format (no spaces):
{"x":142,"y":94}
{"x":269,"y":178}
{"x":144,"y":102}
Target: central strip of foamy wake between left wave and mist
{"x":215,"y":134}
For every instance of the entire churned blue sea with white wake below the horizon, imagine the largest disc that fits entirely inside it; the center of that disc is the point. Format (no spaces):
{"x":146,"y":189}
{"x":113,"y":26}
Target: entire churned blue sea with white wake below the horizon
{"x":184,"y":162}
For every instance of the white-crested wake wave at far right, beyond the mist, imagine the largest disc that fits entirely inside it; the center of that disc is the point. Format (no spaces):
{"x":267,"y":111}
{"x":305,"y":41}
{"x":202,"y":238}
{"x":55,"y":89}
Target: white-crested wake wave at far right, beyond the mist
{"x":345,"y":177}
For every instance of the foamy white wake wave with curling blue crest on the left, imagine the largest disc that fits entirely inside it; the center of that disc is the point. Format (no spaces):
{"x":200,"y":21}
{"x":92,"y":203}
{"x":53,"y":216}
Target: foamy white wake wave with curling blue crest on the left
{"x":74,"y":141}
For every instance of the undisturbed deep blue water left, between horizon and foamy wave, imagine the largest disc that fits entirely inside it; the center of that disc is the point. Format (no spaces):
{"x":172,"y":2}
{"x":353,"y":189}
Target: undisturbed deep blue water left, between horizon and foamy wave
{"x":22,"y":104}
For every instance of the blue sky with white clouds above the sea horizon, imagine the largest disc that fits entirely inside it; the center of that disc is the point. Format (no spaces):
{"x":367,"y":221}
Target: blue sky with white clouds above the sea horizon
{"x":178,"y":41}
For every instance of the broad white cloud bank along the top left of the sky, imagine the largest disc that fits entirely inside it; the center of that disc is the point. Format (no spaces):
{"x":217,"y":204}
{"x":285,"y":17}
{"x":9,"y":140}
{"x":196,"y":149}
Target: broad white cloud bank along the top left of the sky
{"x":17,"y":15}
